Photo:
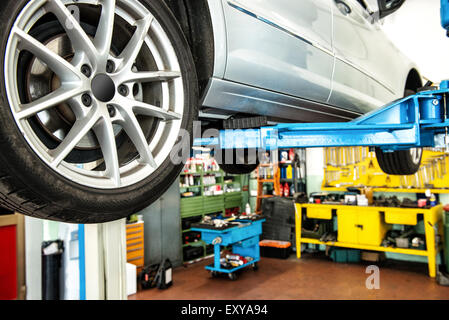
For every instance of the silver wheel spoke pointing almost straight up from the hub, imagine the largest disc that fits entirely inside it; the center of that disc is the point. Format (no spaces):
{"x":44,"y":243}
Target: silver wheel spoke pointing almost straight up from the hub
{"x":103,"y":37}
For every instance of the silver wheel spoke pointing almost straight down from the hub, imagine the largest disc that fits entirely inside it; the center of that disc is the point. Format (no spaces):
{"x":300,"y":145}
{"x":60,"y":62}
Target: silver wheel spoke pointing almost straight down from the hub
{"x":106,"y":137}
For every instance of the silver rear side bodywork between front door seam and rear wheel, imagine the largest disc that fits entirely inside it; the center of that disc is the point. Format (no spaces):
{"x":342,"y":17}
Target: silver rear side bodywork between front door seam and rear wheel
{"x":365,"y":59}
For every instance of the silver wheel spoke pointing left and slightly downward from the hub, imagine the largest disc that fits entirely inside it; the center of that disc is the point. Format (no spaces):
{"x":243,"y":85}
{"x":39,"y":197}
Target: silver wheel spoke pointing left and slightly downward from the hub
{"x":59,"y":96}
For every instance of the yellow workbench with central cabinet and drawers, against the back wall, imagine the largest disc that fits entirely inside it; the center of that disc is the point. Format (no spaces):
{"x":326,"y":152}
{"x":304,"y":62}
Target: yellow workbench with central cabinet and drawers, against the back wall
{"x":364,"y":228}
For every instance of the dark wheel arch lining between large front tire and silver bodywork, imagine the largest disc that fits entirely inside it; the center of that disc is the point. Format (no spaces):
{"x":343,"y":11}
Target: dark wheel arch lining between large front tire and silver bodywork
{"x":195,"y":20}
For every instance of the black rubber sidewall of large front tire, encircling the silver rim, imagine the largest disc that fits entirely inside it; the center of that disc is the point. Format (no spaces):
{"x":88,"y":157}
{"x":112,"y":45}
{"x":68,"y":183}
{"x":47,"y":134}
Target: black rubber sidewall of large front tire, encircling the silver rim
{"x":18,"y":158}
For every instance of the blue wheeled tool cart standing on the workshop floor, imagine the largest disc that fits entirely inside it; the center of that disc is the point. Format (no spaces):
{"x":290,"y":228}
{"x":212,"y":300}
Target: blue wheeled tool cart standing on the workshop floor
{"x":241,"y":234}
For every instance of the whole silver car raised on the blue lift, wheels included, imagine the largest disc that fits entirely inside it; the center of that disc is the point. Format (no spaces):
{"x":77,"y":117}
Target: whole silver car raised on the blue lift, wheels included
{"x":100,"y":96}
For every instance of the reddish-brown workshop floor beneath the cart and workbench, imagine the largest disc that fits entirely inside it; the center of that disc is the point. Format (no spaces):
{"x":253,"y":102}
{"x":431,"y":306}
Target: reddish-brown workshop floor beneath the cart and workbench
{"x":313,"y":277}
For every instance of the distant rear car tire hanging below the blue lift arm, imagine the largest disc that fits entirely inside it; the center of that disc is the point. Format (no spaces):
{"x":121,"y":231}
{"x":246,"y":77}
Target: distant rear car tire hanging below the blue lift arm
{"x":400,"y":162}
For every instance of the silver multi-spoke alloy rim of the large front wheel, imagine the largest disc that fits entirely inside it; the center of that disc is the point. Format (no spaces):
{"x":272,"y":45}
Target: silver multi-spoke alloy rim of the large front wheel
{"x":103,"y":97}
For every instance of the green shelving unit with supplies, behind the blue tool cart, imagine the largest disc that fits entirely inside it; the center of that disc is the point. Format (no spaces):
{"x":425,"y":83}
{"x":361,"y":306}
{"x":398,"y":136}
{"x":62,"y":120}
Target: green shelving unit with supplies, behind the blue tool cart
{"x":204,"y":202}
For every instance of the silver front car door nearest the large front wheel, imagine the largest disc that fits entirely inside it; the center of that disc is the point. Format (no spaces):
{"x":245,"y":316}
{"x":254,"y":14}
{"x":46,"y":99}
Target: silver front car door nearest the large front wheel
{"x":283,"y":46}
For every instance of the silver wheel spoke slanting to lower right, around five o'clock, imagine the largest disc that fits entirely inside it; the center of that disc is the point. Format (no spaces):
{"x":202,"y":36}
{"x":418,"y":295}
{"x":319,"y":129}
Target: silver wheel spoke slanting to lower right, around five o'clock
{"x":134,"y":131}
